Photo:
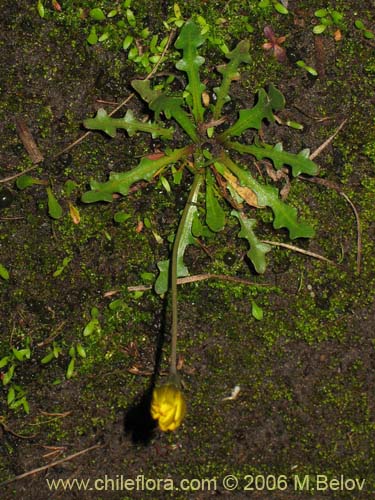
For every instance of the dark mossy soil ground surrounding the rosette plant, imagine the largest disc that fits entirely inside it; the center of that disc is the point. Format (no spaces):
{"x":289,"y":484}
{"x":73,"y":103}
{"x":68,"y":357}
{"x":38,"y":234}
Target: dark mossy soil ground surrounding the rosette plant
{"x":303,"y":423}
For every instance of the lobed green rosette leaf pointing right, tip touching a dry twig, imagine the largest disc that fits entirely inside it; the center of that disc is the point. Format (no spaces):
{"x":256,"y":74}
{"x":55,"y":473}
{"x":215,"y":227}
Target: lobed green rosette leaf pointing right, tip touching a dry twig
{"x":300,"y":163}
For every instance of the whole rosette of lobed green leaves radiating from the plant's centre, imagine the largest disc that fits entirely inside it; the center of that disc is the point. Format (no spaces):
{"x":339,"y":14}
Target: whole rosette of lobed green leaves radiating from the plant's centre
{"x":218,"y":180}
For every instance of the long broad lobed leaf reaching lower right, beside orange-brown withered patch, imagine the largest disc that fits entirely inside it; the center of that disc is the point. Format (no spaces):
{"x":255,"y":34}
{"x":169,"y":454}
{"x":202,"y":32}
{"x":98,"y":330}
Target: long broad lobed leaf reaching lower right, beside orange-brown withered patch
{"x":268,"y":196}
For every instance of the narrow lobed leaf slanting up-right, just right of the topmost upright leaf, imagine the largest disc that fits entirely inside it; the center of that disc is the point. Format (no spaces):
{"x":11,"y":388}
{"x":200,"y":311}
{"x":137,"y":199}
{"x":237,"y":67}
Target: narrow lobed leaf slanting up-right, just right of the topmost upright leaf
{"x":240,"y":54}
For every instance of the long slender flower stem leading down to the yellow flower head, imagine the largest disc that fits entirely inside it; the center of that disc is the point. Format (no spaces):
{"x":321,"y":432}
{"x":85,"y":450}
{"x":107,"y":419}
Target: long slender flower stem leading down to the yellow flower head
{"x":176,"y":245}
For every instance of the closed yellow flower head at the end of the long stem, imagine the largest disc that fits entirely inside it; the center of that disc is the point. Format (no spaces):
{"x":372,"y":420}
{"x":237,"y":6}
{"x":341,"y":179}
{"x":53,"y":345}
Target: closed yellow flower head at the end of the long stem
{"x":168,"y":406}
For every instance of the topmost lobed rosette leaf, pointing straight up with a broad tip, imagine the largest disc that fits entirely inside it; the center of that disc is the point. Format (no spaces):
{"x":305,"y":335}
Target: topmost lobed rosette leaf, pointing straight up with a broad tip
{"x":188,"y":41}
